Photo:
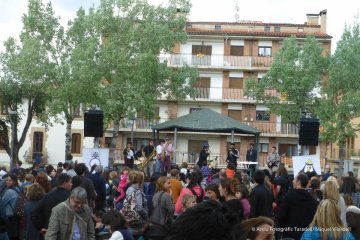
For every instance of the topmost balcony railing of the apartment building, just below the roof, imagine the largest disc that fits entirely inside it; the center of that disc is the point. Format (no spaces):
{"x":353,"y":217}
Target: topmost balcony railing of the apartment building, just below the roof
{"x":218,"y":60}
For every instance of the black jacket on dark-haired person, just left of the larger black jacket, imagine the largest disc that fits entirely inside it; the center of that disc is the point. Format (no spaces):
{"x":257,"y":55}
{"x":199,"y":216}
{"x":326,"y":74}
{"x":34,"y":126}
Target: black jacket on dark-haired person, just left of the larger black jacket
{"x":261,"y":202}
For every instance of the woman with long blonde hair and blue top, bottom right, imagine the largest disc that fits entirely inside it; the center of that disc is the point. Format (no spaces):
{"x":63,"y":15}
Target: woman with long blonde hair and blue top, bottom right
{"x":327,"y":224}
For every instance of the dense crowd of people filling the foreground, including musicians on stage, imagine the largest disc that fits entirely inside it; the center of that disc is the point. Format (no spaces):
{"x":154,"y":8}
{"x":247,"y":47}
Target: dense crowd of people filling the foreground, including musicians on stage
{"x":73,"y":201}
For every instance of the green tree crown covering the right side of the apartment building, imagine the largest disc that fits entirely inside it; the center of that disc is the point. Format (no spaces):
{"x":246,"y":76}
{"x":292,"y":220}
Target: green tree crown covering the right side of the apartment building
{"x":296,"y":74}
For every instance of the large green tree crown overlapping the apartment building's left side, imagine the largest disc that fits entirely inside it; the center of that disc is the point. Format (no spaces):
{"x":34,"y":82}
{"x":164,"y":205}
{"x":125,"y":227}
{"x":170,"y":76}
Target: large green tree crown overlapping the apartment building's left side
{"x":135,"y":34}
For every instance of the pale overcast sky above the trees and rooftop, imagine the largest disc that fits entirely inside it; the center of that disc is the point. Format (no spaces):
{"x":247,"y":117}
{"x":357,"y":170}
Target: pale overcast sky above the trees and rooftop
{"x":276,"y":11}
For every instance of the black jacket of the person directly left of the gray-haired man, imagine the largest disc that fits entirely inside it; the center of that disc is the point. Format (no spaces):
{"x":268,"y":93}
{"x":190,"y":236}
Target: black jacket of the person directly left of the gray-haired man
{"x":40,"y":216}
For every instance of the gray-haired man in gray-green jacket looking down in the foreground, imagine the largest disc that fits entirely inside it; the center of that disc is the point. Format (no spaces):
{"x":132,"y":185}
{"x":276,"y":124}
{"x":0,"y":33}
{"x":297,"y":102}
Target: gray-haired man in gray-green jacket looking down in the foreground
{"x":72,"y":219}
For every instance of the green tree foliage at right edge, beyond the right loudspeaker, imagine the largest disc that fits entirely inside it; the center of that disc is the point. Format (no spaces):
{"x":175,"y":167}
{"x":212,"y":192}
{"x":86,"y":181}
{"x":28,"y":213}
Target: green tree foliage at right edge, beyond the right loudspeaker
{"x":341,"y":104}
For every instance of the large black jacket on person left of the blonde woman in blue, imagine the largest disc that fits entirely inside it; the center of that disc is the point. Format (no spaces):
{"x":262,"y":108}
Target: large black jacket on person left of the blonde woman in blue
{"x":296,"y":210}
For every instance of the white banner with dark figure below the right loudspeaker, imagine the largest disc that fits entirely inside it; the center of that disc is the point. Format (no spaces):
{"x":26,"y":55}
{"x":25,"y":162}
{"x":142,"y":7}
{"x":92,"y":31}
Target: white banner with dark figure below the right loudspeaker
{"x":306,"y":164}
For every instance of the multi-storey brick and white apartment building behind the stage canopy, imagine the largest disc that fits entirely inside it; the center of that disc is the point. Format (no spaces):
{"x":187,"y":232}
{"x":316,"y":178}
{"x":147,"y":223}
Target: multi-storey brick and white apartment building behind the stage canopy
{"x":226,"y":54}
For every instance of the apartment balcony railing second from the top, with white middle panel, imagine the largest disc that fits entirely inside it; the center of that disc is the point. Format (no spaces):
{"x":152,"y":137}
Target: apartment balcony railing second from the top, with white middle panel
{"x":218,"y":93}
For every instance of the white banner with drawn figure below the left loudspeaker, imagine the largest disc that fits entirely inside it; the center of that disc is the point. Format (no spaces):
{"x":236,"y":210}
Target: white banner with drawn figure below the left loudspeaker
{"x":98,"y":156}
